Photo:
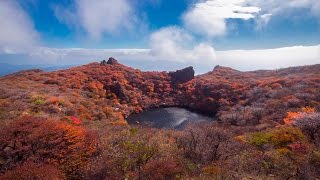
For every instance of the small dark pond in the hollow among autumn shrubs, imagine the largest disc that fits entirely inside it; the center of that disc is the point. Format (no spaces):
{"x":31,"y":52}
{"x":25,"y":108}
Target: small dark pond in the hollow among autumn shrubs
{"x":171,"y":117}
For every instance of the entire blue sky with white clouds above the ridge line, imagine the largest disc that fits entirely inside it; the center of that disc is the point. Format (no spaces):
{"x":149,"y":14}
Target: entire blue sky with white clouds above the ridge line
{"x":162,"y":34}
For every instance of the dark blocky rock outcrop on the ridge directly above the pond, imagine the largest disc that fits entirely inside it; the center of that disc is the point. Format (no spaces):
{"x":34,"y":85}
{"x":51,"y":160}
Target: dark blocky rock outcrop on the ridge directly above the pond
{"x":183,"y":75}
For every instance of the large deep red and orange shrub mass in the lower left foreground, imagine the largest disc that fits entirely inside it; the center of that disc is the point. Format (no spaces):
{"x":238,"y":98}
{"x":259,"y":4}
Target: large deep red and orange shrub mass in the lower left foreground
{"x":46,"y":141}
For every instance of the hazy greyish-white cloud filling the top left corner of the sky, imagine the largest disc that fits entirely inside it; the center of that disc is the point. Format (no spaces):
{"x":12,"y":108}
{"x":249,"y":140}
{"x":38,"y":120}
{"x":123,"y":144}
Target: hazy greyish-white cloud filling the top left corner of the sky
{"x":16,"y":28}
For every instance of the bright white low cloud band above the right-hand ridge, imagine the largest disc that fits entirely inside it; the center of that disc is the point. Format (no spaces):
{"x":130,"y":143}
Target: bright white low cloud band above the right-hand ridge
{"x":269,"y":58}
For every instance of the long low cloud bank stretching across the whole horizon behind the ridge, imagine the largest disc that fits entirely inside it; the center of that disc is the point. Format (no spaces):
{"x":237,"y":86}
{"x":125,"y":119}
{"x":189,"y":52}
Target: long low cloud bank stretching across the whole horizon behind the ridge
{"x":146,"y":59}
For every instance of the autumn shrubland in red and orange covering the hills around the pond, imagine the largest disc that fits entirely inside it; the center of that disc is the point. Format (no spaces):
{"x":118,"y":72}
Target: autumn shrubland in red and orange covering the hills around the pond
{"x":70,"y":124}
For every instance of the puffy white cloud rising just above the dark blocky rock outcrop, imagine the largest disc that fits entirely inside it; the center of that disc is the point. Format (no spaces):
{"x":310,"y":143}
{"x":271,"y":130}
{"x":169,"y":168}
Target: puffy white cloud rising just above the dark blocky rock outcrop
{"x":171,"y":43}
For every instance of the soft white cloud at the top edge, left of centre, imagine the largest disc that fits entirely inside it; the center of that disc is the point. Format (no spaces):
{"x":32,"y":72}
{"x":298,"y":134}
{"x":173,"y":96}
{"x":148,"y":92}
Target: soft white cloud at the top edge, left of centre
{"x":97,"y":17}
